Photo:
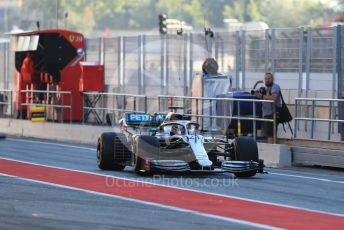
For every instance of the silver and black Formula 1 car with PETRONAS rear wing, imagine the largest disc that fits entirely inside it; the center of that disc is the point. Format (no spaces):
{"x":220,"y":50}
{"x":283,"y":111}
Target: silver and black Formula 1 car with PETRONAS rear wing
{"x":173,"y":143}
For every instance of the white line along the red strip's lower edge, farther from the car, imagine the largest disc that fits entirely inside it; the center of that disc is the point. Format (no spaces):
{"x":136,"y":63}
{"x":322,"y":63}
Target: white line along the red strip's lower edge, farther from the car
{"x":247,"y":223}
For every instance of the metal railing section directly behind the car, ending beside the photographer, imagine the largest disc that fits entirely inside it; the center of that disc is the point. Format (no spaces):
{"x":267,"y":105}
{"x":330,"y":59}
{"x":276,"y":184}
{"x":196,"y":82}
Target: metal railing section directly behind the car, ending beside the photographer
{"x":171,"y":100}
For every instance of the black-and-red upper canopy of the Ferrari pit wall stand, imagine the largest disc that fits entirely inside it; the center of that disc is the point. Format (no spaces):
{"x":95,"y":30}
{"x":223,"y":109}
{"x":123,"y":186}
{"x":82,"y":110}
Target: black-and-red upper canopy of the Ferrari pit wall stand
{"x":50,"y":50}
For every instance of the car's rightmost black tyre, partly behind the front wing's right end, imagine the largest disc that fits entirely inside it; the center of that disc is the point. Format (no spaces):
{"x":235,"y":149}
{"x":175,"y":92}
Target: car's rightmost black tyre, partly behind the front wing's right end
{"x":245,"y":149}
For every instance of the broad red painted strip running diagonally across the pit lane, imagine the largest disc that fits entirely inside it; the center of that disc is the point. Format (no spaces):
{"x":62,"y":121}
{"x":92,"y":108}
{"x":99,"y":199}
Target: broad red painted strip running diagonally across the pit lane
{"x":207,"y":204}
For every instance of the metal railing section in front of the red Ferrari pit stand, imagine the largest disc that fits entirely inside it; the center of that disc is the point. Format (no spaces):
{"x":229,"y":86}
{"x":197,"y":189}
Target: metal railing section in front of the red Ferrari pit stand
{"x":58,"y":94}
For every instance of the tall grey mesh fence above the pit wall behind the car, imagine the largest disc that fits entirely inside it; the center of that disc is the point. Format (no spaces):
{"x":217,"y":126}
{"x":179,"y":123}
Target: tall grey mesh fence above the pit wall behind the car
{"x":304,"y":61}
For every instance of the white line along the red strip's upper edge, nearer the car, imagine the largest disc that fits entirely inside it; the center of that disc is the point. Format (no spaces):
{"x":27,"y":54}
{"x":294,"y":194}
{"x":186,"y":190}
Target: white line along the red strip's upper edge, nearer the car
{"x":181,"y":188}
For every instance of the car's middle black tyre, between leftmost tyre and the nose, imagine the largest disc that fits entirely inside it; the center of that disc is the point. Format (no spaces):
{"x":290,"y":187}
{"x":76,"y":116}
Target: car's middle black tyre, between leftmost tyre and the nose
{"x":147,"y":147}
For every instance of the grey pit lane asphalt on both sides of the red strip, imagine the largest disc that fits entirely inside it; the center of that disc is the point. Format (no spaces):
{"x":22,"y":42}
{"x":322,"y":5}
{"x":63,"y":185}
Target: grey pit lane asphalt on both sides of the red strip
{"x":25,"y":203}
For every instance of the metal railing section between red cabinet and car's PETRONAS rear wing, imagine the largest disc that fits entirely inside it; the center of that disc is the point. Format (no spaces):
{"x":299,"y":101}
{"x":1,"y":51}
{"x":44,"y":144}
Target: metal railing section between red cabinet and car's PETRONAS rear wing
{"x":111,"y":103}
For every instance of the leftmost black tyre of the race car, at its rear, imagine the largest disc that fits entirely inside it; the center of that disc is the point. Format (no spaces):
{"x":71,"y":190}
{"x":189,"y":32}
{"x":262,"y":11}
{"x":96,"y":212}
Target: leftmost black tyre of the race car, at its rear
{"x":108,"y":148}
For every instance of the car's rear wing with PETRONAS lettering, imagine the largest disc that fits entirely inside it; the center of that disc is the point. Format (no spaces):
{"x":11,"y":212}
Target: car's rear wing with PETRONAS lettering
{"x":142,"y":119}
